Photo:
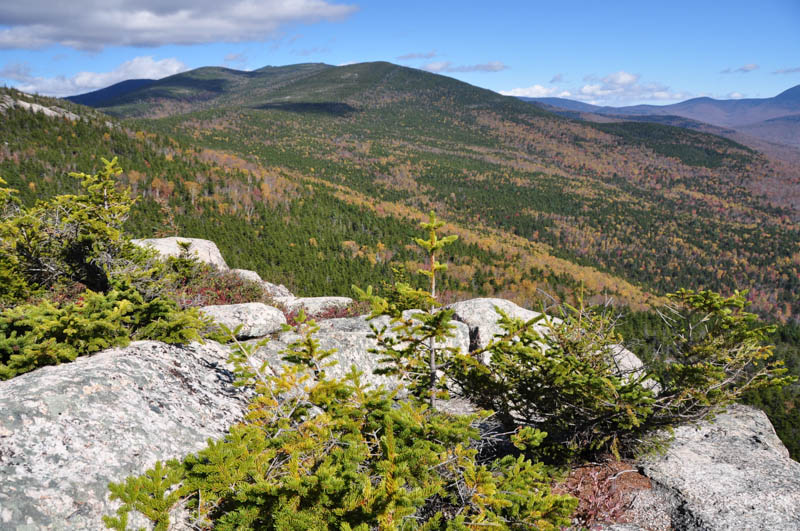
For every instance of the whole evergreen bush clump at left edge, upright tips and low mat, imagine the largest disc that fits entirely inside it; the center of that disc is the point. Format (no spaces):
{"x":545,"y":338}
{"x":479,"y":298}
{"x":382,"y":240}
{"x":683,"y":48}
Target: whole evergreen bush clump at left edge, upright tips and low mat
{"x":50,"y":254}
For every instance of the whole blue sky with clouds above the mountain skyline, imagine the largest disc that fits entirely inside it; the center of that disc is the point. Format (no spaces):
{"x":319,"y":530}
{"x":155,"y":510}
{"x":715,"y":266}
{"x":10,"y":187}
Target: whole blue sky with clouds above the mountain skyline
{"x":609,"y":52}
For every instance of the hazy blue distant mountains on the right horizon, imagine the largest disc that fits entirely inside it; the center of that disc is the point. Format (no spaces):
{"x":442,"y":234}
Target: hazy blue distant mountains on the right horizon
{"x":767,"y":119}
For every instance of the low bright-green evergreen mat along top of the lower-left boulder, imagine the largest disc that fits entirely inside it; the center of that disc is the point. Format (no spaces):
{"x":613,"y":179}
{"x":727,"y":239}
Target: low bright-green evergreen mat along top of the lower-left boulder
{"x":35,"y":335}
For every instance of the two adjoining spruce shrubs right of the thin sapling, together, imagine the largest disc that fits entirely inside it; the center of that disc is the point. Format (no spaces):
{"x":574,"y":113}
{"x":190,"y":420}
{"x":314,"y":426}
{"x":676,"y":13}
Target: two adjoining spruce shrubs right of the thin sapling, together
{"x":570,"y":379}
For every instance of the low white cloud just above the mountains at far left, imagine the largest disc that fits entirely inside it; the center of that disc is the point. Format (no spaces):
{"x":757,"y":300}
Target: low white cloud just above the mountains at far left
{"x":144,"y":67}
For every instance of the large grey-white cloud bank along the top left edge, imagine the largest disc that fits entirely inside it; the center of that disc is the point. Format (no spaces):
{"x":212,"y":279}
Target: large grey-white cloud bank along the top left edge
{"x":92,"y":25}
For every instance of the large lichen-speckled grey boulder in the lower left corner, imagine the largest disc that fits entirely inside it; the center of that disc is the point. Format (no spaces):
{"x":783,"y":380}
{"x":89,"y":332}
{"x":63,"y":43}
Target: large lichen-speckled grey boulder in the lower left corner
{"x":66,"y":431}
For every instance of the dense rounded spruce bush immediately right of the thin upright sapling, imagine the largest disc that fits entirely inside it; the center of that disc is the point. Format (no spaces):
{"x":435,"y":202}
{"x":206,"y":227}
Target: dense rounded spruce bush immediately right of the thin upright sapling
{"x":559,"y":377}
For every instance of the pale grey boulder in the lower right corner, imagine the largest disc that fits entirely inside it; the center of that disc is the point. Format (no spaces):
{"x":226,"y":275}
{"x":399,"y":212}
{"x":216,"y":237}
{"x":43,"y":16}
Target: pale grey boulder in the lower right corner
{"x":732,"y":473}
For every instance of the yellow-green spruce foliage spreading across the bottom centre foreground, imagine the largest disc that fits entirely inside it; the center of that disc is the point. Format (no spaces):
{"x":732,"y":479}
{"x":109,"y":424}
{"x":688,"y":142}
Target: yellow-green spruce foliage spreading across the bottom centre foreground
{"x":318,"y":453}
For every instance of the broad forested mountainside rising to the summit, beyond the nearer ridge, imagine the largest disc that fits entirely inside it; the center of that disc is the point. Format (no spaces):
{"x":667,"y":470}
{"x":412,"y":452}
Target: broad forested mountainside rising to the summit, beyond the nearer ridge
{"x":660,"y":206}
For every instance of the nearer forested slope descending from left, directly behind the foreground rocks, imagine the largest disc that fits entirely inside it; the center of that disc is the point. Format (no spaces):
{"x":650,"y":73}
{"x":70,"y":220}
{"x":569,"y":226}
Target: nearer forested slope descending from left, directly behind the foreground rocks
{"x":315,"y":237}
